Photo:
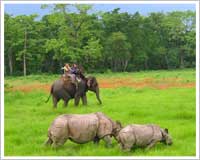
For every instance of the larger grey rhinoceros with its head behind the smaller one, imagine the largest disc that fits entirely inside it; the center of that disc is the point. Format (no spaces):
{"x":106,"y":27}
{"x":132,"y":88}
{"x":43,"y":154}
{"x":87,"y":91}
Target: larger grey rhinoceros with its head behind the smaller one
{"x":82,"y":129}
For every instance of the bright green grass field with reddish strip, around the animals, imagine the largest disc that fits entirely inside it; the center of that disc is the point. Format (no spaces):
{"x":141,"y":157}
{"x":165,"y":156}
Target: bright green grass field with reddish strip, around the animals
{"x":166,"y":98}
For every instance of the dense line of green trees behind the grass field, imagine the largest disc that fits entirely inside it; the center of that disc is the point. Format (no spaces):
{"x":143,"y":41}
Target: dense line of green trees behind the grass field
{"x":98,"y":41}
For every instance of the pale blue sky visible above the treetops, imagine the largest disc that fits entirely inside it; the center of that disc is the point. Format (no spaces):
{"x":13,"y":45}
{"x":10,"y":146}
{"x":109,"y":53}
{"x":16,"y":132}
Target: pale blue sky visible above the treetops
{"x":144,"y":9}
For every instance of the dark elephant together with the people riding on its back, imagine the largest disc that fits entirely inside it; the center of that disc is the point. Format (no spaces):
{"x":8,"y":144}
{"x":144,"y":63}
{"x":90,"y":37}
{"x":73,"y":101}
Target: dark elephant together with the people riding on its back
{"x":73,"y":85}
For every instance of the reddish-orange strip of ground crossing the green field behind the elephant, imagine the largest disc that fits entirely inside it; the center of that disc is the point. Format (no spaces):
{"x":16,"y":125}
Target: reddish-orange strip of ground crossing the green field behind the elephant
{"x":164,"y":83}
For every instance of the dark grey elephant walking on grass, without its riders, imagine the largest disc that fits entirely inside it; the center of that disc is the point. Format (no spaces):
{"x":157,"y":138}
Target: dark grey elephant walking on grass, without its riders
{"x":64,"y":89}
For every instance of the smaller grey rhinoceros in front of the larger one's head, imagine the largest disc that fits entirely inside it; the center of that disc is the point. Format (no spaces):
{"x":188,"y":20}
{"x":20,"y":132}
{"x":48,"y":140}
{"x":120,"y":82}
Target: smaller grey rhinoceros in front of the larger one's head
{"x":142,"y":136}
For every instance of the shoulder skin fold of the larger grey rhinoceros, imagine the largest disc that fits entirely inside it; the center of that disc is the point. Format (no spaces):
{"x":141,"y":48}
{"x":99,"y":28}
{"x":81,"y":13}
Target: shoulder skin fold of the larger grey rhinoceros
{"x":105,"y":125}
